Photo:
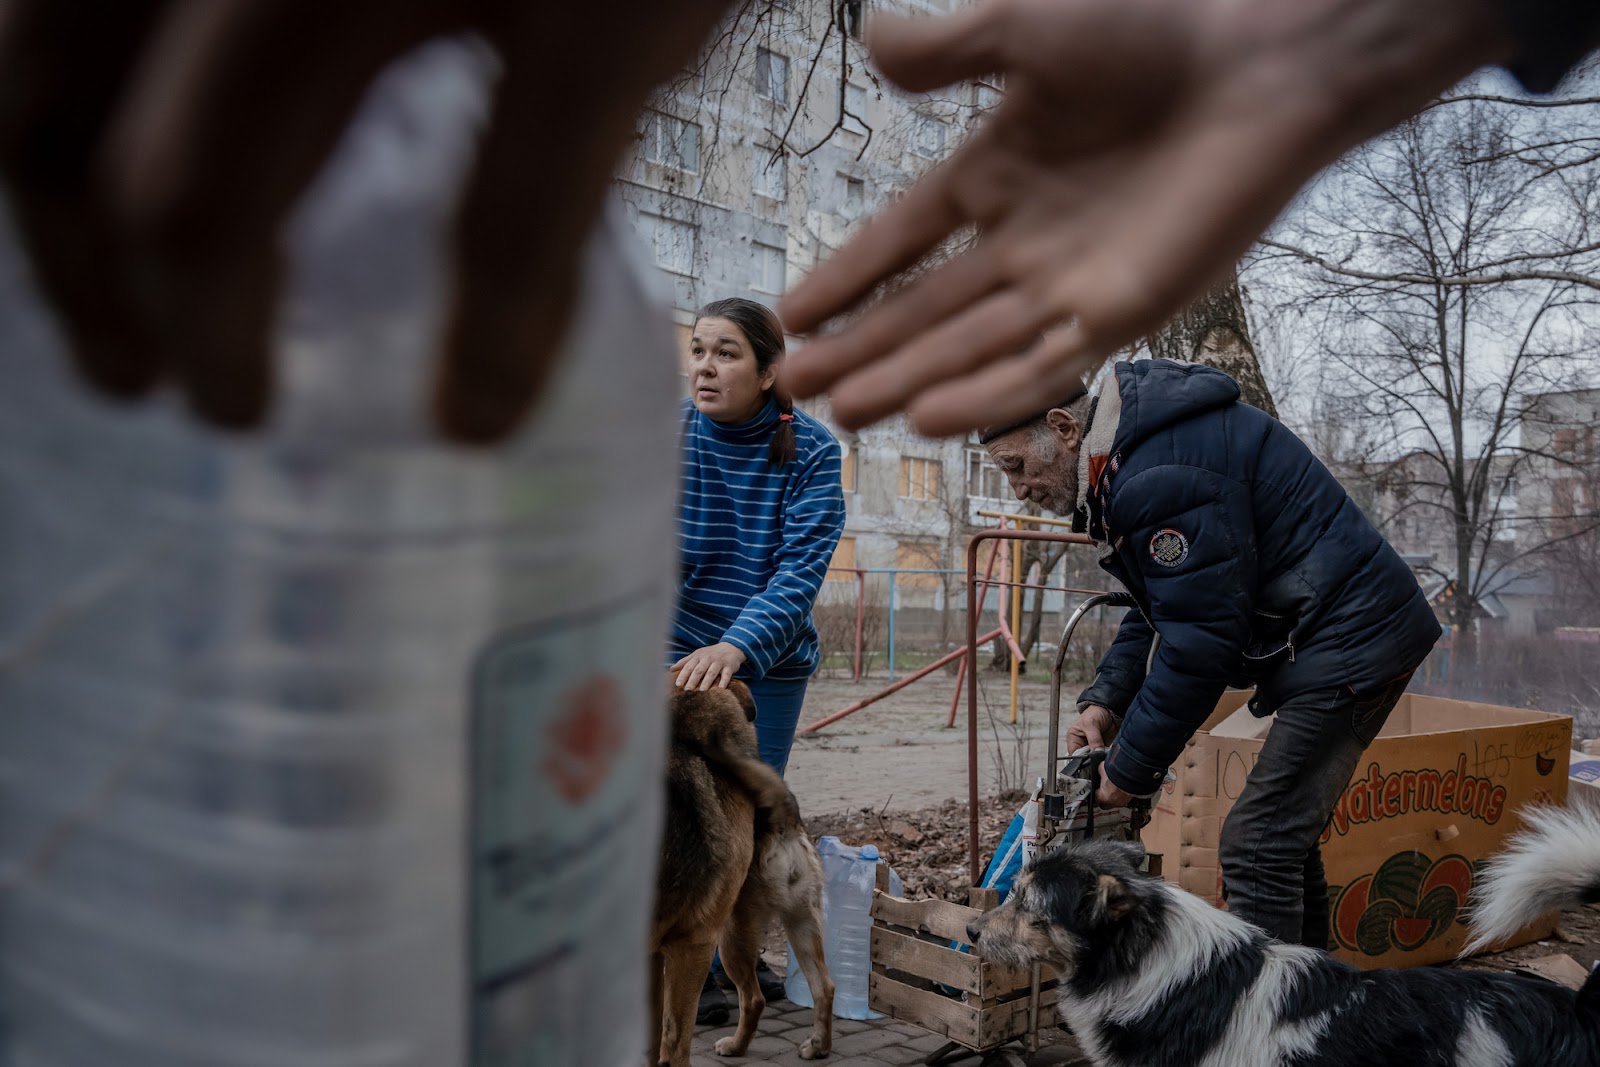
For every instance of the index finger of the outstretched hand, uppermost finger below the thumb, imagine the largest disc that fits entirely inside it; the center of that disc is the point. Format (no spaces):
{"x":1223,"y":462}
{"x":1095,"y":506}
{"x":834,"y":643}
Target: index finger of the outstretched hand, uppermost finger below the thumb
{"x":887,"y":246}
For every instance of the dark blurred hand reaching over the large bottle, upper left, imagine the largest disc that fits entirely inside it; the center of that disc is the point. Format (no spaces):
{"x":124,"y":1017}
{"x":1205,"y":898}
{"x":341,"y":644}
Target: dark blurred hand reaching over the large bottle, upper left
{"x":151,"y":151}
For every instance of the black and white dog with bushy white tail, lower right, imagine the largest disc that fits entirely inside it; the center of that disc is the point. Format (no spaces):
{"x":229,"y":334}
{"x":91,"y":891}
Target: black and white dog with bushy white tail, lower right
{"x":1154,"y":977}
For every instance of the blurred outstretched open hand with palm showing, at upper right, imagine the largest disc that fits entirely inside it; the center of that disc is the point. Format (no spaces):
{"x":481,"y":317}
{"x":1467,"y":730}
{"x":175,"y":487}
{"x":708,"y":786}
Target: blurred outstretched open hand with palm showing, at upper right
{"x":1140,"y":148}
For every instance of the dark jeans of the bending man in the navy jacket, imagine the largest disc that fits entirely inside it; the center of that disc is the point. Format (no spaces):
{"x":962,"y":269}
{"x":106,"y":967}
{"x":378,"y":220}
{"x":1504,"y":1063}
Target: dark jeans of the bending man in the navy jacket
{"x":1270,"y":853}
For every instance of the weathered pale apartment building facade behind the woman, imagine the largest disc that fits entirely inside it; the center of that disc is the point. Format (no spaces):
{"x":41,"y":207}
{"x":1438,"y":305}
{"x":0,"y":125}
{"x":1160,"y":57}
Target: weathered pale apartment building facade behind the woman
{"x":762,"y":161}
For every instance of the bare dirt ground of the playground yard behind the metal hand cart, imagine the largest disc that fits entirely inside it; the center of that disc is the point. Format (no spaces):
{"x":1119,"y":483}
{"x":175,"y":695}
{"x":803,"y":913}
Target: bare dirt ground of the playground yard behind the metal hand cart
{"x":895,"y":777}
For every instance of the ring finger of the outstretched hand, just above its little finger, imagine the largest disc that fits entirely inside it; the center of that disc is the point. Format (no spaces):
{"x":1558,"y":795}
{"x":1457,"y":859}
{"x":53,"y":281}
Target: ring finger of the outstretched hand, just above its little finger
{"x":993,"y":329}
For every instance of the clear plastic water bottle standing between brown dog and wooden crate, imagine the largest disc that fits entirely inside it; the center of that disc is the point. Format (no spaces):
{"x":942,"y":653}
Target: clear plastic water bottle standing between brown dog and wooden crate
{"x":849,"y":881}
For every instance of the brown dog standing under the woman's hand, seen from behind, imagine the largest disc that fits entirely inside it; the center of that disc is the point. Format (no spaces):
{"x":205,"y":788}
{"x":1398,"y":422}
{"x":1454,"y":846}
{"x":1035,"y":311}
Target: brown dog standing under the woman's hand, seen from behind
{"x":735,"y":855}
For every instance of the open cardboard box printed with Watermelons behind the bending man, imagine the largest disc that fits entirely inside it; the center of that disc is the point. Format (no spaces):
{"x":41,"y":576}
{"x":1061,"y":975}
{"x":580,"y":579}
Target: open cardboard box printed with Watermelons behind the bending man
{"x":1433,"y":799}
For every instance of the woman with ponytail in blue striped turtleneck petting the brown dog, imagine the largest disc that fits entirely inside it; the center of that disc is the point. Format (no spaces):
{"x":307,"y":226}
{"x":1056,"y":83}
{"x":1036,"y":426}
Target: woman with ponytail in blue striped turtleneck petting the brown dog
{"x":759,"y":518}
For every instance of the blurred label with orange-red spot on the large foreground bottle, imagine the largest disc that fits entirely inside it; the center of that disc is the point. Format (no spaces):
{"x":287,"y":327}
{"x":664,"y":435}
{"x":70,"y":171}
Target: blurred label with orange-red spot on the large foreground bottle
{"x":569,"y":733}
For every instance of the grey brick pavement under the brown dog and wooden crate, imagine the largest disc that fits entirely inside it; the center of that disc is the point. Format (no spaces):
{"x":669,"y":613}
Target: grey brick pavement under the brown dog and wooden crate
{"x":878,"y":1044}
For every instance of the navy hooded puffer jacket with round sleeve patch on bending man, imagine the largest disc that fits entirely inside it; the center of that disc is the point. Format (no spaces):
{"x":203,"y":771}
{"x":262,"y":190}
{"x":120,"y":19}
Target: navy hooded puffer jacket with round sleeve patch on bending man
{"x":1244,"y":554}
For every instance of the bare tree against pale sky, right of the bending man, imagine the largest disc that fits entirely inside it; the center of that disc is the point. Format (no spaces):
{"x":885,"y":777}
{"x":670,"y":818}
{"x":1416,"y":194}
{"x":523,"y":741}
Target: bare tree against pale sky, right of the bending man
{"x":1444,"y":278}
